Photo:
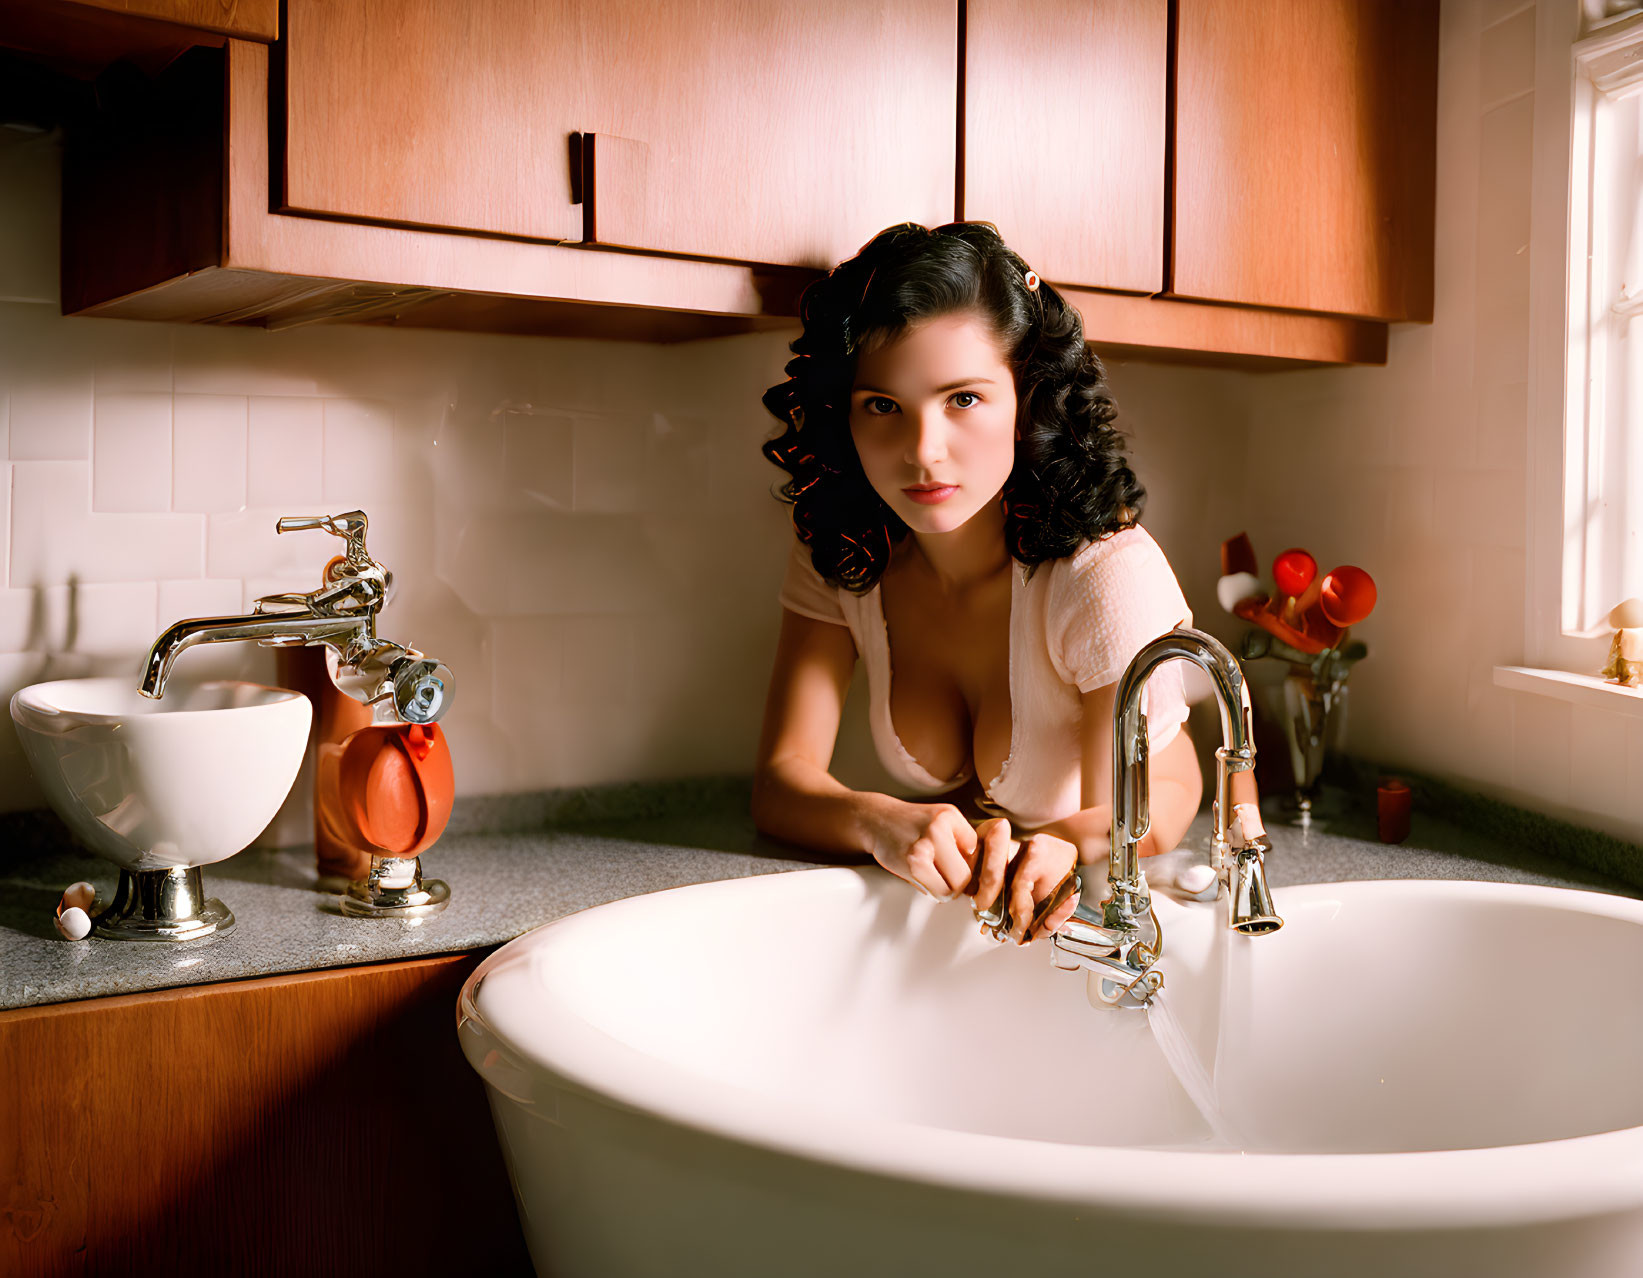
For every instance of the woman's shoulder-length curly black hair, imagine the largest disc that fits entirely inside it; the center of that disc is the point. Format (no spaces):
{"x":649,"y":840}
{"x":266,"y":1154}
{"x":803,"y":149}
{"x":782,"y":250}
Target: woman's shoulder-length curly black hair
{"x":1070,"y":482}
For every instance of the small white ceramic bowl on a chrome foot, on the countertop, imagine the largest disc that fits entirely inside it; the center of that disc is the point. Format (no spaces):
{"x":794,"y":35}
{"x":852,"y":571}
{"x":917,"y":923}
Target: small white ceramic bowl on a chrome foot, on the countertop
{"x":183,"y":781}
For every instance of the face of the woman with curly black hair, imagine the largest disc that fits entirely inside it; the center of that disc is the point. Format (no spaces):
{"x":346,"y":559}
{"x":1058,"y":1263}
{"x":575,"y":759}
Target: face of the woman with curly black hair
{"x":936,"y":408}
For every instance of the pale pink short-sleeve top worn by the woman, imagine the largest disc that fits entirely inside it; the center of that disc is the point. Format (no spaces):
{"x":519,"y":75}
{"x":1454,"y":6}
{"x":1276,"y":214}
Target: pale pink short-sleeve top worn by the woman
{"x":1075,"y":627}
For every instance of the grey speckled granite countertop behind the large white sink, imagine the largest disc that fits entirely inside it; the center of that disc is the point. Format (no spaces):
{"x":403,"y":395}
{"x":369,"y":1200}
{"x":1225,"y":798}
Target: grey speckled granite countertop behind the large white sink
{"x":504,"y":885}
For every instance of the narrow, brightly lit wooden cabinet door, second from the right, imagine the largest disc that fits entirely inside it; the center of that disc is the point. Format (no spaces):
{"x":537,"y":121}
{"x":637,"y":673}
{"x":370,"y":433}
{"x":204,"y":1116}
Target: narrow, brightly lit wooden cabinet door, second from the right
{"x":1065,"y":136}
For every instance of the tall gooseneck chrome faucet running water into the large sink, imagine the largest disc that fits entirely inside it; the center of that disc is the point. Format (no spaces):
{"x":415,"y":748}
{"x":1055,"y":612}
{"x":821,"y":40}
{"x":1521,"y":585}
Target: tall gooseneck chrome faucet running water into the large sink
{"x":1115,"y":945}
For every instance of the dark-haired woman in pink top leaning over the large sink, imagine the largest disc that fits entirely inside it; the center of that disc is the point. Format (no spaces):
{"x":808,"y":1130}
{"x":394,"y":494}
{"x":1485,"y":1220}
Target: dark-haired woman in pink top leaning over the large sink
{"x":964,"y":517}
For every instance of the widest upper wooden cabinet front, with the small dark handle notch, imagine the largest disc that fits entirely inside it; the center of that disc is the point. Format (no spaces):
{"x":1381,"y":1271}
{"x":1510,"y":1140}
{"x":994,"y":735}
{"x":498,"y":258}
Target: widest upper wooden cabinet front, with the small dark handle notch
{"x":742,"y":131}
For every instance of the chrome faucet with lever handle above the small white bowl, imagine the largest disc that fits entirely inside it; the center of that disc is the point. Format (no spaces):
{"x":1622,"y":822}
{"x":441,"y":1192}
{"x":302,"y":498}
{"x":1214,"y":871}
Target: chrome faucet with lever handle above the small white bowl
{"x":402,"y":683}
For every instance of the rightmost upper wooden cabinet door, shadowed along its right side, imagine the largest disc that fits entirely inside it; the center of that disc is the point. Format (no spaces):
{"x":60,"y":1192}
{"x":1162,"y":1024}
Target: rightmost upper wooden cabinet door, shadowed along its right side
{"x":1305,"y":155}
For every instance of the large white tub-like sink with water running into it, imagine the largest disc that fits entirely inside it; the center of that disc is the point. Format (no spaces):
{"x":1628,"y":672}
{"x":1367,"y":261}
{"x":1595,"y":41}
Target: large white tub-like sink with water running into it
{"x":822,"y":1072}
